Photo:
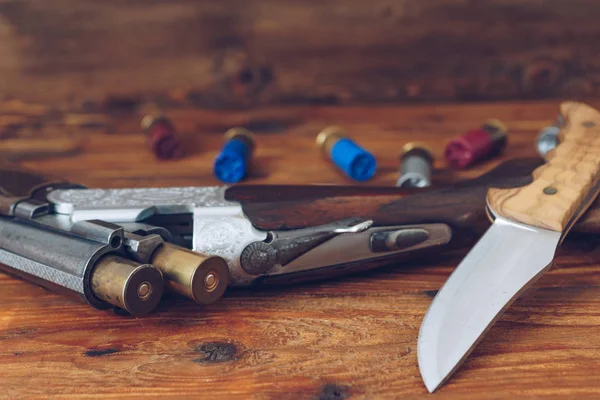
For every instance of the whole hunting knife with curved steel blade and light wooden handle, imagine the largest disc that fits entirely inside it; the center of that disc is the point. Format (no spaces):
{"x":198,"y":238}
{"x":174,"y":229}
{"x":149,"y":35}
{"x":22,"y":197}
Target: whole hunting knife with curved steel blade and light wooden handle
{"x":530,"y":222}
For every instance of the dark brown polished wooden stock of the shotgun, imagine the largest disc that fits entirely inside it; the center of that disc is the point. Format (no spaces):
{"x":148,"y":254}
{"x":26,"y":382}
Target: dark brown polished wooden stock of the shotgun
{"x":461,"y":206}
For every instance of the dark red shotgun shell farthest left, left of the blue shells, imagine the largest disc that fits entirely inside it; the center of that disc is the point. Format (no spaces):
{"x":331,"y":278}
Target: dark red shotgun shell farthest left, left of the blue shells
{"x":162,"y":138}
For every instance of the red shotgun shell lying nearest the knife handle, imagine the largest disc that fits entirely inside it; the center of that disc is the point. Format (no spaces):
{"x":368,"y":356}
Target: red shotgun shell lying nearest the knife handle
{"x":476,"y":145}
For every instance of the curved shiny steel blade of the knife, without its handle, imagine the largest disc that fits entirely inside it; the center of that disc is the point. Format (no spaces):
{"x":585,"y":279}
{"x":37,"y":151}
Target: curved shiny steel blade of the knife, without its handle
{"x":505,"y":261}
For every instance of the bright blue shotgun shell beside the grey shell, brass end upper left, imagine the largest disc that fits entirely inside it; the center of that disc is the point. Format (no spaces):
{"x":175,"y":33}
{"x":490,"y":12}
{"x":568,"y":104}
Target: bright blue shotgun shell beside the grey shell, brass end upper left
{"x":353,"y":160}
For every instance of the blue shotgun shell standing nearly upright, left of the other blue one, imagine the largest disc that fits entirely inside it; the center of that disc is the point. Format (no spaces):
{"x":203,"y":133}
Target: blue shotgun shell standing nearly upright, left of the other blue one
{"x":233,"y":162}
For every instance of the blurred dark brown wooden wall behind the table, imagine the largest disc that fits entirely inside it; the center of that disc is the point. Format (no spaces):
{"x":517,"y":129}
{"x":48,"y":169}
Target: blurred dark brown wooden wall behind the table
{"x":243,"y":53}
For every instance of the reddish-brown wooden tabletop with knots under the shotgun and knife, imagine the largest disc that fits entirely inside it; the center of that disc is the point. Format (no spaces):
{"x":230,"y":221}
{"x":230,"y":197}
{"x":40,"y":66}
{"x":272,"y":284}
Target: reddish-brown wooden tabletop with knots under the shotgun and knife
{"x":351,"y":338}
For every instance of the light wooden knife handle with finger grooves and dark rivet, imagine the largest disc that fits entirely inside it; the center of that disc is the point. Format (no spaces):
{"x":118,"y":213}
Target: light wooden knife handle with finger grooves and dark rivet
{"x":564,"y":187}
